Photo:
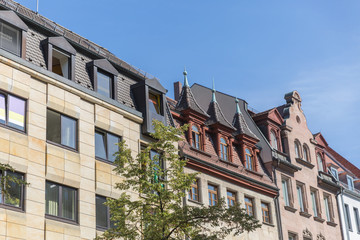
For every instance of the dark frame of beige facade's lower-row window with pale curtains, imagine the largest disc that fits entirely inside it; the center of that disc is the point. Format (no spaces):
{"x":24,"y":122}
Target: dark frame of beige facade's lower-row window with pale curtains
{"x":76,"y":207}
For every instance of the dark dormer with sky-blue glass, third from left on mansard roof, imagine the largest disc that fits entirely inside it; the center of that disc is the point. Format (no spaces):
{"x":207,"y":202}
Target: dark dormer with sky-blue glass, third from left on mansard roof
{"x":104,"y":77}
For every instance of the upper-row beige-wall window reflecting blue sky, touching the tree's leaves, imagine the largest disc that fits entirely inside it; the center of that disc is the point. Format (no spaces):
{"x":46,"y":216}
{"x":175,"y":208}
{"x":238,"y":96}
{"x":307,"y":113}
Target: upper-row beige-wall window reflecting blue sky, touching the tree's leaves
{"x":106,"y":145}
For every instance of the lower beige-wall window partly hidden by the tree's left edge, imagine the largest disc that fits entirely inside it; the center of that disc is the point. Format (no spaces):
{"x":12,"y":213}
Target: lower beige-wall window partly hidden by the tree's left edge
{"x":103,"y":221}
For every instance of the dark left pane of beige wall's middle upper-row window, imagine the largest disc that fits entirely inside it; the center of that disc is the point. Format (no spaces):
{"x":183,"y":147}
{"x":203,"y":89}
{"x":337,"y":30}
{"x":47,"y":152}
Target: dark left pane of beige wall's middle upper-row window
{"x":53,"y":124}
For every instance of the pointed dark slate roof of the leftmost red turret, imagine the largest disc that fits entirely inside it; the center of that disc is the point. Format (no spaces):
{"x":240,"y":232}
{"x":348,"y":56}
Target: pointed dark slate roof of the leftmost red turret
{"x":187,"y":101}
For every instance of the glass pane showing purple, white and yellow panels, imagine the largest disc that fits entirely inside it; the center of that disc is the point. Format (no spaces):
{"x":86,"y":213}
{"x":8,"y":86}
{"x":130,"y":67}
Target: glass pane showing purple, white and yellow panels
{"x":16,"y":113}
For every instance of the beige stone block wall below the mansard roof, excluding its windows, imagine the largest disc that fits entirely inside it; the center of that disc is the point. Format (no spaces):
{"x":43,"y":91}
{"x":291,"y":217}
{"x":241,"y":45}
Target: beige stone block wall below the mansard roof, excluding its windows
{"x":29,"y":153}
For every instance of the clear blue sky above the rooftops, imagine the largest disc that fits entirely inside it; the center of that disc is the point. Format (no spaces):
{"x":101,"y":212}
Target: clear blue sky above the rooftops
{"x":255,"y":50}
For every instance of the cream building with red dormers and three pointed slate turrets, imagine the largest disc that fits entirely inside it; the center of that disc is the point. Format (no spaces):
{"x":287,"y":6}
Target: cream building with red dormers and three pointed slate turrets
{"x":221,"y":146}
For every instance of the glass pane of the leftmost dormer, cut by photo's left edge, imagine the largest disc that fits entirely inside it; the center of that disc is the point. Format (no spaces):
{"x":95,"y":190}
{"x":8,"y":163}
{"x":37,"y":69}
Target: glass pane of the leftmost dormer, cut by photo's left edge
{"x":10,"y":39}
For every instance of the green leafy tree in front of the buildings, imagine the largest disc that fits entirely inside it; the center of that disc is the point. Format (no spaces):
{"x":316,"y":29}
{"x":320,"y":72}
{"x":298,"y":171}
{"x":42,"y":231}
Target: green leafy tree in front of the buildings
{"x":155,"y":211}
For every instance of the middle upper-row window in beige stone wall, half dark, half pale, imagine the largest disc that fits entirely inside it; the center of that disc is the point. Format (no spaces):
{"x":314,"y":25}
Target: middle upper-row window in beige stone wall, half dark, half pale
{"x":61,"y":129}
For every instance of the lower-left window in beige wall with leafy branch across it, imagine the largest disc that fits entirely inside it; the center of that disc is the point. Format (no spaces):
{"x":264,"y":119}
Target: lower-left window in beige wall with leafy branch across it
{"x":15,"y":191}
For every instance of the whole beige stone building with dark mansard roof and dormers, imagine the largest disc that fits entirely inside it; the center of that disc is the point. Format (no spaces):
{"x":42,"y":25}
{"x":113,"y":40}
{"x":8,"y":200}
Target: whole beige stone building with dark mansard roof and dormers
{"x":64,"y":103}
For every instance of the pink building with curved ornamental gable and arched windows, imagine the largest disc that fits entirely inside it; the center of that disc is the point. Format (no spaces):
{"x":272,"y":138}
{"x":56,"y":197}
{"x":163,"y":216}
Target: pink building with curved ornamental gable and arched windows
{"x":308,"y":193}
